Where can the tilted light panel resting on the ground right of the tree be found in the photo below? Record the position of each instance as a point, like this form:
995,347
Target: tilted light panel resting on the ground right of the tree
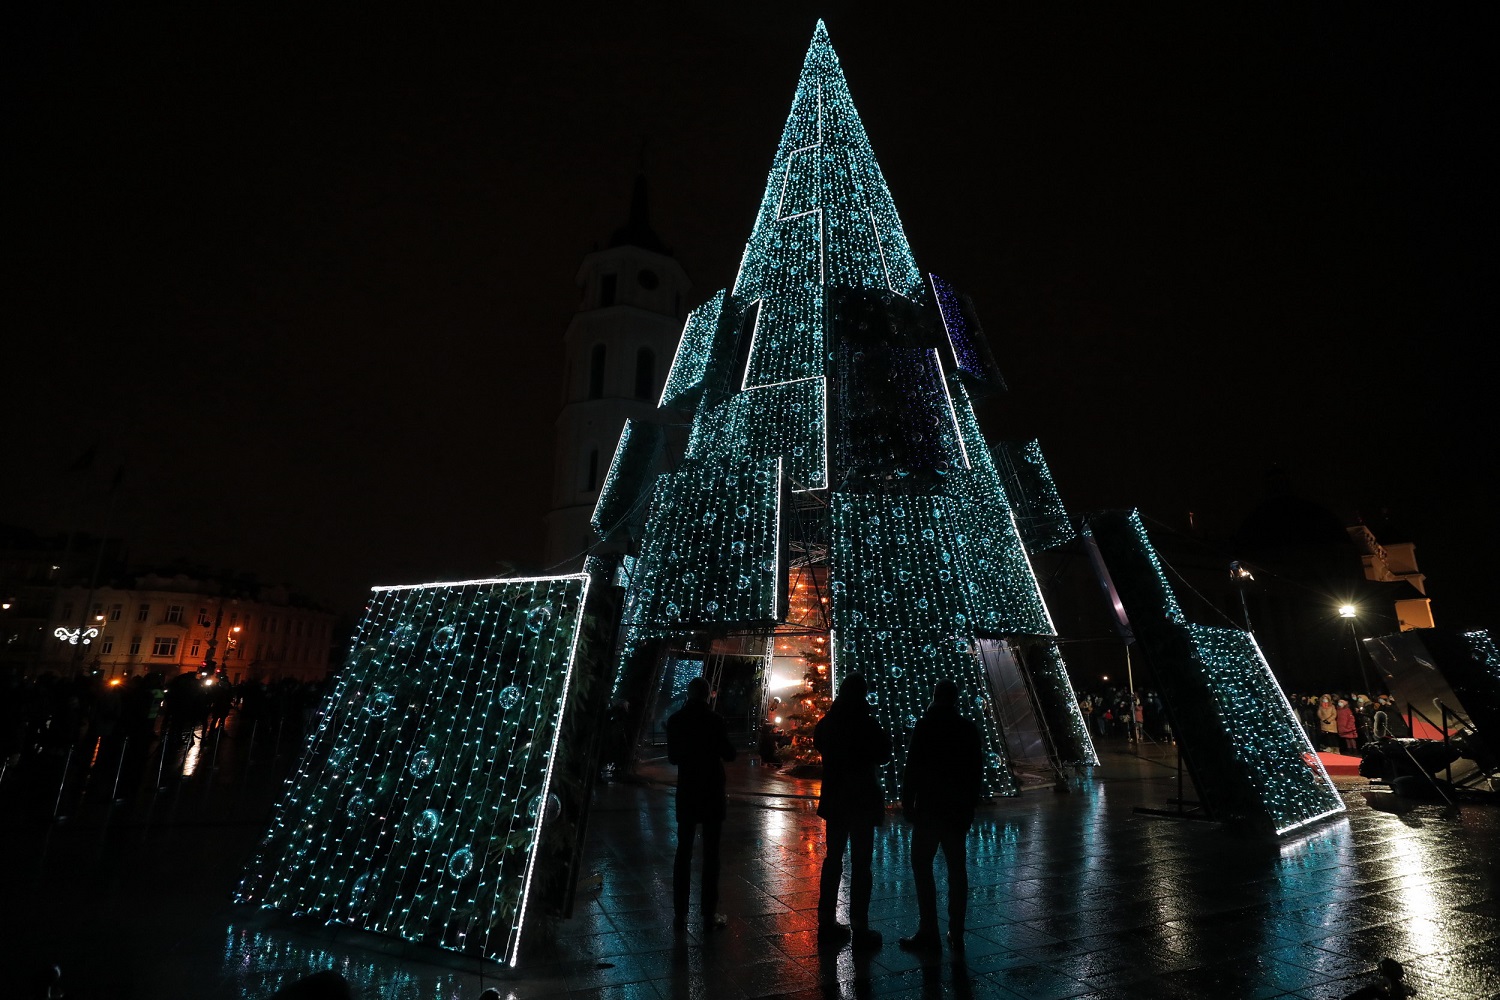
1249,755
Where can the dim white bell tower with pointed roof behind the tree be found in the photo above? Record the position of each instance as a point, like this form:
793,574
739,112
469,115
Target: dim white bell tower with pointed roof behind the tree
619,347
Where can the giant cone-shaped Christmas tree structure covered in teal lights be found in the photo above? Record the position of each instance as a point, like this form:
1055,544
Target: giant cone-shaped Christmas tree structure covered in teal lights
832,428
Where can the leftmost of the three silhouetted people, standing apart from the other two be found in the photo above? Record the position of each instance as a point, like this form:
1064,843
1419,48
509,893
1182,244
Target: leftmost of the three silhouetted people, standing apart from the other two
698,743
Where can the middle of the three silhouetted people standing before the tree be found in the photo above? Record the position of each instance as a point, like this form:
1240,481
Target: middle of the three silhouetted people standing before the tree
853,804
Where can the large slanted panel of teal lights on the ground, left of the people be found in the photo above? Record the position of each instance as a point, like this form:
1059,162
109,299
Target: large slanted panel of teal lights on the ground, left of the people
419,806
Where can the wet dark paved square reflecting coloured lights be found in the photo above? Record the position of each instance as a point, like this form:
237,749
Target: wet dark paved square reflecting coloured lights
1073,896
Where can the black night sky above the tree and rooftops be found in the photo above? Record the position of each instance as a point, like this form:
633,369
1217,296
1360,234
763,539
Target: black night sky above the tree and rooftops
307,277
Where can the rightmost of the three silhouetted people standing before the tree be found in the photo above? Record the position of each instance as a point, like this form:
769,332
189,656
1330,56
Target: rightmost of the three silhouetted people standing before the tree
943,788
